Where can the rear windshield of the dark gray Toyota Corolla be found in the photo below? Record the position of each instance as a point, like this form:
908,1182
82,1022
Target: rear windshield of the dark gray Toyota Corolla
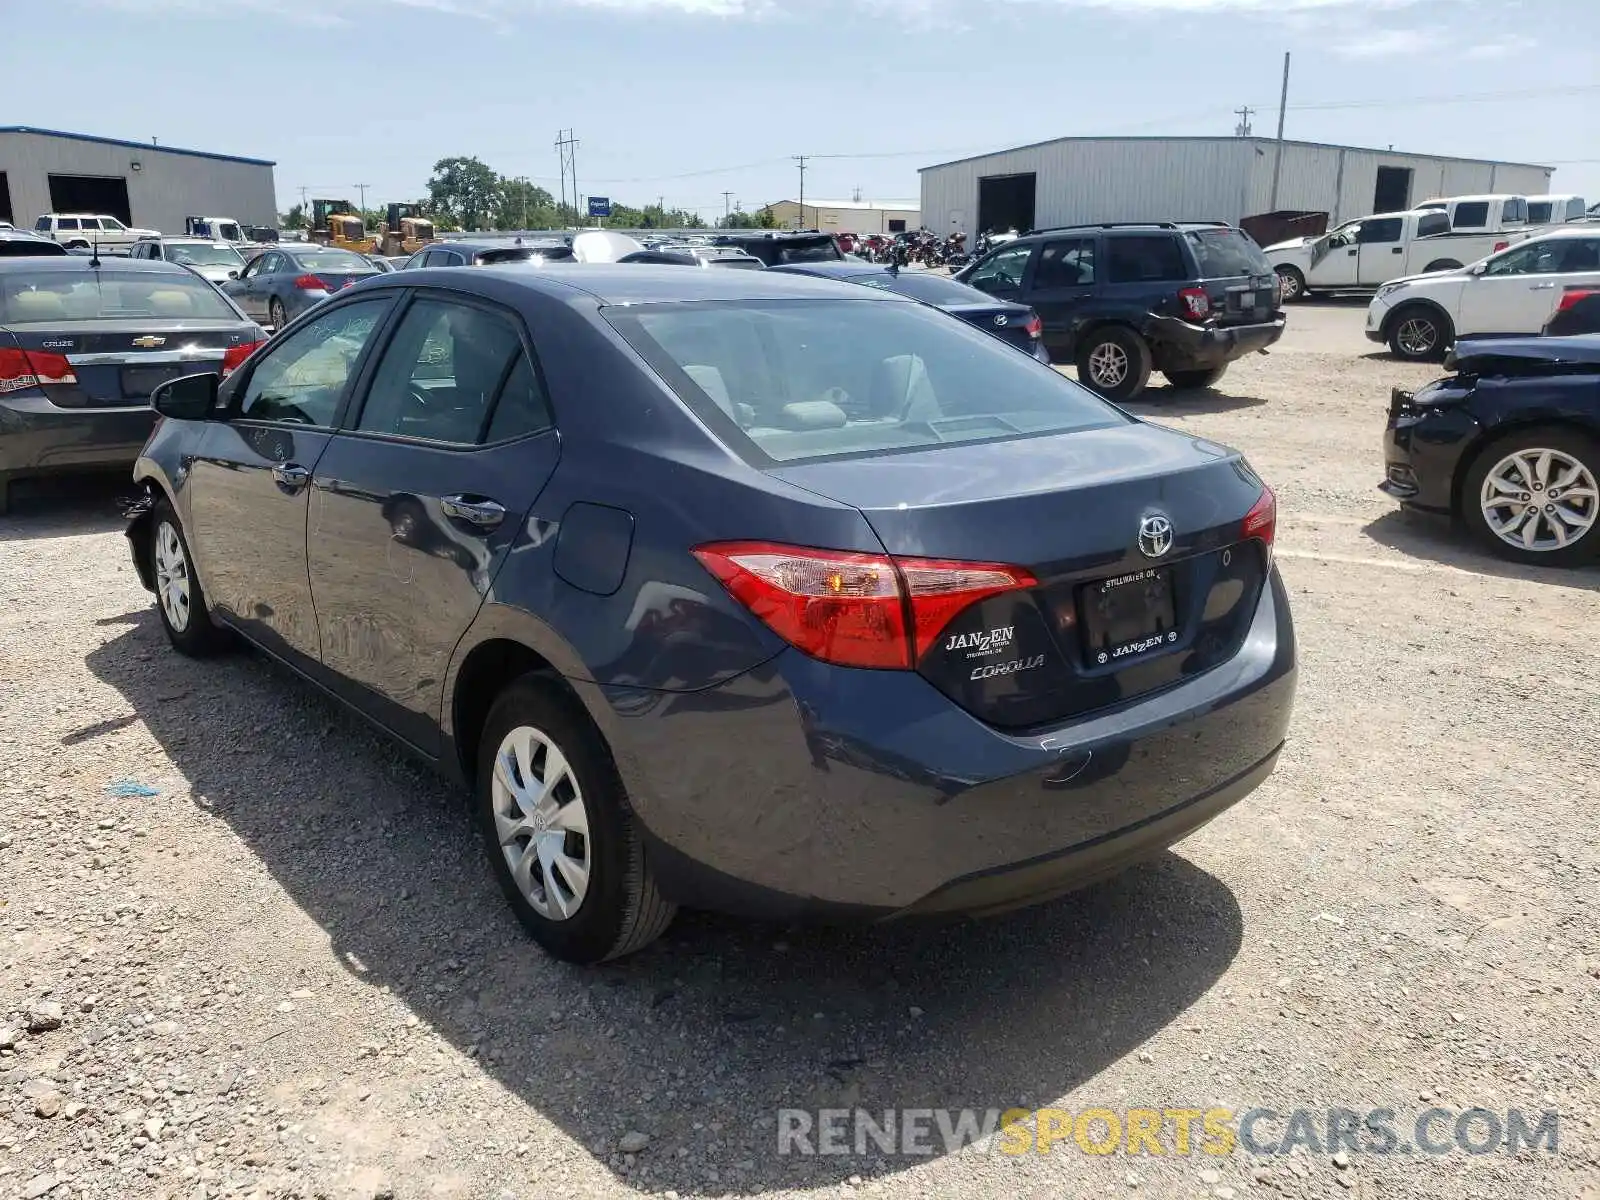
788,382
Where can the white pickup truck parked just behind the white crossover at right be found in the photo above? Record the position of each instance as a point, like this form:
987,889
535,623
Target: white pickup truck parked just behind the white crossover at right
1366,254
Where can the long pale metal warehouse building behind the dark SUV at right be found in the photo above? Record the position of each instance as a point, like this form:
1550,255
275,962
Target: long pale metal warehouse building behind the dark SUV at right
1076,180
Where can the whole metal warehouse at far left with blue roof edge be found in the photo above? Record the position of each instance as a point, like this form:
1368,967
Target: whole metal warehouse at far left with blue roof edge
140,185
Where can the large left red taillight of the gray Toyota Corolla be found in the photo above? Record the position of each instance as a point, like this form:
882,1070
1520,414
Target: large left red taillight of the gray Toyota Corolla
860,610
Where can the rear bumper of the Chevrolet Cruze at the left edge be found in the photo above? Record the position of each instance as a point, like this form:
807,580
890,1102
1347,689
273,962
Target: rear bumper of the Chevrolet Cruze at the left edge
38,439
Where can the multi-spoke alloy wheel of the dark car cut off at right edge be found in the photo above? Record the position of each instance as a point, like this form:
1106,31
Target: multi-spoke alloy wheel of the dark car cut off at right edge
1540,500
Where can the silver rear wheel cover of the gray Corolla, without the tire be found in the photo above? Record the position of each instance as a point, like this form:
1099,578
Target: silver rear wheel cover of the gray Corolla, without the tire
542,823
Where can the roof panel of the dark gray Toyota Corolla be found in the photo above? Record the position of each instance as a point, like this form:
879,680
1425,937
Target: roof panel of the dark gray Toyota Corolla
638,284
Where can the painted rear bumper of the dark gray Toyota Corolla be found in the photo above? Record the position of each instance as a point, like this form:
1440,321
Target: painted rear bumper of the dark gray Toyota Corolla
806,791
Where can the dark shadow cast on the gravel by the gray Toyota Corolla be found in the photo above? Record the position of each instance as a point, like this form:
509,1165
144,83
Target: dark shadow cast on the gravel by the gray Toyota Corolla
703,1038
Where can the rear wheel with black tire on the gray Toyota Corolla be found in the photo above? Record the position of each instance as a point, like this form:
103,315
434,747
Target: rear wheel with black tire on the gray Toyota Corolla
577,879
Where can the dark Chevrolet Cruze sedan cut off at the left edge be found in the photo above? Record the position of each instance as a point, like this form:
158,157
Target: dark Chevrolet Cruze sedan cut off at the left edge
82,345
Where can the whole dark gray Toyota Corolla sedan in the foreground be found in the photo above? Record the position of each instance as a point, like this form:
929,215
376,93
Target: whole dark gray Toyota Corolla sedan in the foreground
732,590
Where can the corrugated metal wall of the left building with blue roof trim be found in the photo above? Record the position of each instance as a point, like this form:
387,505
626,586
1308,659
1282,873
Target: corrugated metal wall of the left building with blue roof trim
166,188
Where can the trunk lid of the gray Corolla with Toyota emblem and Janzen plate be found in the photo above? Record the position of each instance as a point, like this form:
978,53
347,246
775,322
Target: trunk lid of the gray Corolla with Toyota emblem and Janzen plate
1135,537
